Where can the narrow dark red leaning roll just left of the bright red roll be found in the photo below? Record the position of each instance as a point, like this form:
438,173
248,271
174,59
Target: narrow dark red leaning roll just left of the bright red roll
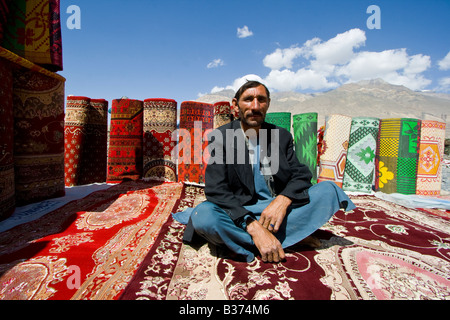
94,153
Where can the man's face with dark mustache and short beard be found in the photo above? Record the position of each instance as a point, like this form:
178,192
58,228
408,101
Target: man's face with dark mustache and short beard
252,105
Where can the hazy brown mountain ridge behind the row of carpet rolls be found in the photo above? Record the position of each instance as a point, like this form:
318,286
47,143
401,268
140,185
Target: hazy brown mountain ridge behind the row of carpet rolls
371,98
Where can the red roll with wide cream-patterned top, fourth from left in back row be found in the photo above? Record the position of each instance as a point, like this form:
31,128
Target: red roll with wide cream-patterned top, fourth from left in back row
160,122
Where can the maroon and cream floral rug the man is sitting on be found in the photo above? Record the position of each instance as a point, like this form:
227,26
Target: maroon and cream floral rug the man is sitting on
379,251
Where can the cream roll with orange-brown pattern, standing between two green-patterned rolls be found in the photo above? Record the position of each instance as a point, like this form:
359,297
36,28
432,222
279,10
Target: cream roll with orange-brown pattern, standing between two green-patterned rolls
334,148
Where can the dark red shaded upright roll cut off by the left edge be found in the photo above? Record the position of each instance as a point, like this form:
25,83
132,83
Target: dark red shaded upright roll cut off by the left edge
7,192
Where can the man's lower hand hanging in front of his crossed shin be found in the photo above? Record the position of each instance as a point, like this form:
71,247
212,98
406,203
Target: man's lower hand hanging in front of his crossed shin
268,245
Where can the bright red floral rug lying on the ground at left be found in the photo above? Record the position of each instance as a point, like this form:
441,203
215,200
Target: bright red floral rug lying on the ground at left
89,248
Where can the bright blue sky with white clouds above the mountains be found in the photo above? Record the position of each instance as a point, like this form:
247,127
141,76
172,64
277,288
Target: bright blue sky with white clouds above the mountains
179,49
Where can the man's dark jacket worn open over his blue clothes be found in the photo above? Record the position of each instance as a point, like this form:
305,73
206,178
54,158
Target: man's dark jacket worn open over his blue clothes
231,185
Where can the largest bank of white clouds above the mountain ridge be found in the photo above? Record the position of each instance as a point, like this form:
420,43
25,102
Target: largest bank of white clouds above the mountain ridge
329,64
